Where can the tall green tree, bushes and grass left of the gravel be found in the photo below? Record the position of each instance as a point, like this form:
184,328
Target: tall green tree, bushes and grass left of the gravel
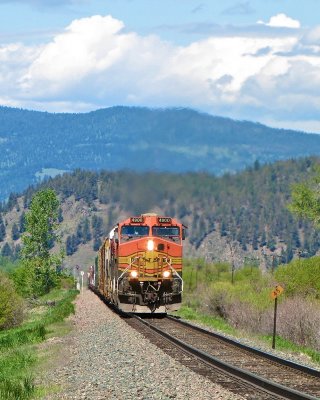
35,297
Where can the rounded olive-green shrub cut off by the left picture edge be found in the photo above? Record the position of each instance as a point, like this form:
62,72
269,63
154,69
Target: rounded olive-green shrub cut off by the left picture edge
11,304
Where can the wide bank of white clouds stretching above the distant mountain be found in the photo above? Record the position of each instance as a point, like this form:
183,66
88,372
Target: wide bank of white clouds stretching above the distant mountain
95,62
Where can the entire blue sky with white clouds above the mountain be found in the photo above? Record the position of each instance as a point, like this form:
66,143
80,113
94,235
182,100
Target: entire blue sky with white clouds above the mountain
256,60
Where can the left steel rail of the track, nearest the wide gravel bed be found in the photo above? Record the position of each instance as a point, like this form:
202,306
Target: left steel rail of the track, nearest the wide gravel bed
246,376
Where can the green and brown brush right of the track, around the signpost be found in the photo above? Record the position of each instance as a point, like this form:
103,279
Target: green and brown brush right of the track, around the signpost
245,308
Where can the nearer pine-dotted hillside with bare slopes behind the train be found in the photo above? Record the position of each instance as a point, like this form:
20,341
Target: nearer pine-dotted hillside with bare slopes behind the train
246,211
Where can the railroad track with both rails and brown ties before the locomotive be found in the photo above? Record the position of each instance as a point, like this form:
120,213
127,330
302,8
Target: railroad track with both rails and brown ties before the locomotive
243,370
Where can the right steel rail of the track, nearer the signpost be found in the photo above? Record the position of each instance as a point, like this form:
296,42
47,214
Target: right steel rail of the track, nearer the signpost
269,356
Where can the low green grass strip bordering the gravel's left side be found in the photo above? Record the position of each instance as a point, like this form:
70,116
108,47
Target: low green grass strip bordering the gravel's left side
19,353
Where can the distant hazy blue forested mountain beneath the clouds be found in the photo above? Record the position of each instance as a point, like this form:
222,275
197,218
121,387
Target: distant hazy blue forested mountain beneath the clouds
33,144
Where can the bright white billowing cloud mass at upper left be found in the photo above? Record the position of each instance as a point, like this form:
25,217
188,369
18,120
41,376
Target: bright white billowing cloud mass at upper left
86,46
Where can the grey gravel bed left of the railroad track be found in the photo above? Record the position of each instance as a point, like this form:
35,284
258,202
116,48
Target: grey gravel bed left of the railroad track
104,358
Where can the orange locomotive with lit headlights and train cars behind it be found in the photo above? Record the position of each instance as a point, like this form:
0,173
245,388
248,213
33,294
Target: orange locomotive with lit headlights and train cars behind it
139,265
